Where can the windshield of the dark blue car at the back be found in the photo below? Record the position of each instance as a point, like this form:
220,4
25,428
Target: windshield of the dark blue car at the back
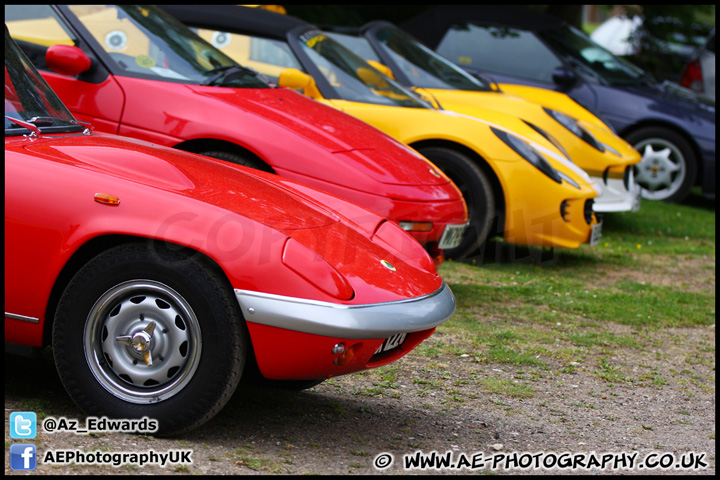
591,57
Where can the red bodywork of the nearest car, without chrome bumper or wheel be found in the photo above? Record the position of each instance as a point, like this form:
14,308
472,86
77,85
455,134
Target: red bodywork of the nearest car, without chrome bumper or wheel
239,217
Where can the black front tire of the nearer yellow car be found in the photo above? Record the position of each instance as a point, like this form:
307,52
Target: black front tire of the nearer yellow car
477,191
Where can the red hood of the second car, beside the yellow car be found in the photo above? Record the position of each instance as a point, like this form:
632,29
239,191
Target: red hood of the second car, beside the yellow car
375,153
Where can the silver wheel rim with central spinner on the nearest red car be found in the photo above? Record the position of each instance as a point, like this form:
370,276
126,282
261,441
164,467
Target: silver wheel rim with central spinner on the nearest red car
142,341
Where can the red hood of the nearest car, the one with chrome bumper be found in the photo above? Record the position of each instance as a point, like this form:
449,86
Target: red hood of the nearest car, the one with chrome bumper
230,187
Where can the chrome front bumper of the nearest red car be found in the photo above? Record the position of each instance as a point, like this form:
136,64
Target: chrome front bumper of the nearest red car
377,320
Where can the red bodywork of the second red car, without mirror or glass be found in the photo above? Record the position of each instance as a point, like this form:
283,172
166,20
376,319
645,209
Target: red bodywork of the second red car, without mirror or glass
299,138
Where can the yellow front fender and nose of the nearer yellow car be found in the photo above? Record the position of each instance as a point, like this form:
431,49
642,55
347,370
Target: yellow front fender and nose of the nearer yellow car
531,199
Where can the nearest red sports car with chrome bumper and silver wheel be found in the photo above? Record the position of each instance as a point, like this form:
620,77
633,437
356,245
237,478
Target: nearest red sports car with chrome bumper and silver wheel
155,273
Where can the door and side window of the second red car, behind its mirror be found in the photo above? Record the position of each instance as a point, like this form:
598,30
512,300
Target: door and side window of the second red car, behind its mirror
93,96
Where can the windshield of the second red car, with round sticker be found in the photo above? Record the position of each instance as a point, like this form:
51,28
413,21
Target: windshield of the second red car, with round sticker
143,40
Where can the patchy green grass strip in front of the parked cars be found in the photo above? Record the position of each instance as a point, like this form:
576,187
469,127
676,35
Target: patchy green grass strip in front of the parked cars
653,270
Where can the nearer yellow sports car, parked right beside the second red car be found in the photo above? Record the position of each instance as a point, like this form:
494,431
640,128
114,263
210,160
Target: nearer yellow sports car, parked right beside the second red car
516,183
